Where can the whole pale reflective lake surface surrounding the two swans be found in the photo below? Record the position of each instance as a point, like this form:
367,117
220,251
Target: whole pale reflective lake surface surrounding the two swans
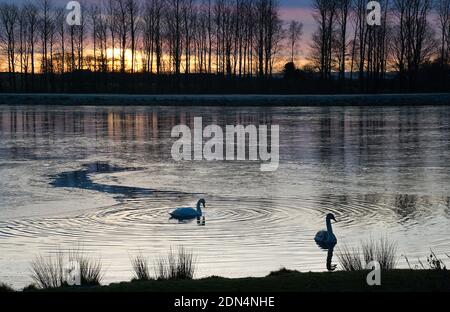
102,179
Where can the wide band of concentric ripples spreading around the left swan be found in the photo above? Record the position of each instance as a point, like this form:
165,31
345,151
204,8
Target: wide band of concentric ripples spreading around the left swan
230,217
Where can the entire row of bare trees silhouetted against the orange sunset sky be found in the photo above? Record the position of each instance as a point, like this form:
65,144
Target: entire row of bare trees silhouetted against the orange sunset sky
175,42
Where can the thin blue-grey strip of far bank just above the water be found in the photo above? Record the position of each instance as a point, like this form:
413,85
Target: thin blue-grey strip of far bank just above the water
418,99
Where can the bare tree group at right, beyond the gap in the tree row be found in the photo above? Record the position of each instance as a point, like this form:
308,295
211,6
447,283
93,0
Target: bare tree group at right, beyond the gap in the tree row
413,35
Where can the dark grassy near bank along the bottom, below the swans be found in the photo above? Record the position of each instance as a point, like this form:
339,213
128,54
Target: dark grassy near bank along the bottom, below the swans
291,281
